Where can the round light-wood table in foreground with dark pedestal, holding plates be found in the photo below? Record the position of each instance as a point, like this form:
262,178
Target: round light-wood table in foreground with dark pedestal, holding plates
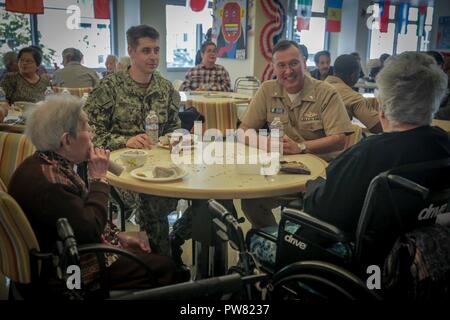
215,180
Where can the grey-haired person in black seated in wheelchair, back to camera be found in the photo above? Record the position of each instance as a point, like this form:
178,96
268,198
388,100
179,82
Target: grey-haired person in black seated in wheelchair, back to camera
411,87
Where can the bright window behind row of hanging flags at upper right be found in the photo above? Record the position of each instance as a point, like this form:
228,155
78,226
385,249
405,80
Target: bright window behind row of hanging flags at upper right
395,43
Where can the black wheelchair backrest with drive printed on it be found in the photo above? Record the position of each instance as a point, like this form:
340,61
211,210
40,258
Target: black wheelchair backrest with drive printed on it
399,201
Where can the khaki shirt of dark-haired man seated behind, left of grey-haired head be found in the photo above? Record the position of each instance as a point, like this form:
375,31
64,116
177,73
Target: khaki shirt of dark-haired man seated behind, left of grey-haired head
357,106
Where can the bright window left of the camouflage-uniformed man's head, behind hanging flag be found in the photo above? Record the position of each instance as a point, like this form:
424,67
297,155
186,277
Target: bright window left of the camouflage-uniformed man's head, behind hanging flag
92,38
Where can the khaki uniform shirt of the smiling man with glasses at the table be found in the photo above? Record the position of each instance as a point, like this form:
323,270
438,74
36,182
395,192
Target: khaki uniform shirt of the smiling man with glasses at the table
316,113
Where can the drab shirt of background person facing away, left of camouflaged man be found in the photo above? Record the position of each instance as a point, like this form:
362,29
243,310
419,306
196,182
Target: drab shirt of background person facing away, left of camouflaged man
74,75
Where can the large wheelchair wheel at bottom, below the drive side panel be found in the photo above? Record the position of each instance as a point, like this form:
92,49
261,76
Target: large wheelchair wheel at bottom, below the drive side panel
318,281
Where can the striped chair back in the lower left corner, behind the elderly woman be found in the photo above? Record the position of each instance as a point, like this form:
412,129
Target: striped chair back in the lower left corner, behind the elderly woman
17,241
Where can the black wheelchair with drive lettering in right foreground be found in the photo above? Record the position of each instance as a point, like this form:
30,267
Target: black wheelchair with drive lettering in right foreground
314,261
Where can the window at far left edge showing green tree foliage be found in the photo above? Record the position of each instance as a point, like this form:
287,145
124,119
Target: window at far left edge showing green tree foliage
15,31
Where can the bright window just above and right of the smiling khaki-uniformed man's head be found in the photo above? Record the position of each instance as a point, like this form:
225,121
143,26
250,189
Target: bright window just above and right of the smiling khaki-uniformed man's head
315,39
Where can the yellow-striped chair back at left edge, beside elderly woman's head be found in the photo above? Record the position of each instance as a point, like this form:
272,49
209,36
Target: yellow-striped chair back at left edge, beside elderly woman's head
14,148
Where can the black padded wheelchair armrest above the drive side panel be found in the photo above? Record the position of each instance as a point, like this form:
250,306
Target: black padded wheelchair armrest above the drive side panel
321,226
